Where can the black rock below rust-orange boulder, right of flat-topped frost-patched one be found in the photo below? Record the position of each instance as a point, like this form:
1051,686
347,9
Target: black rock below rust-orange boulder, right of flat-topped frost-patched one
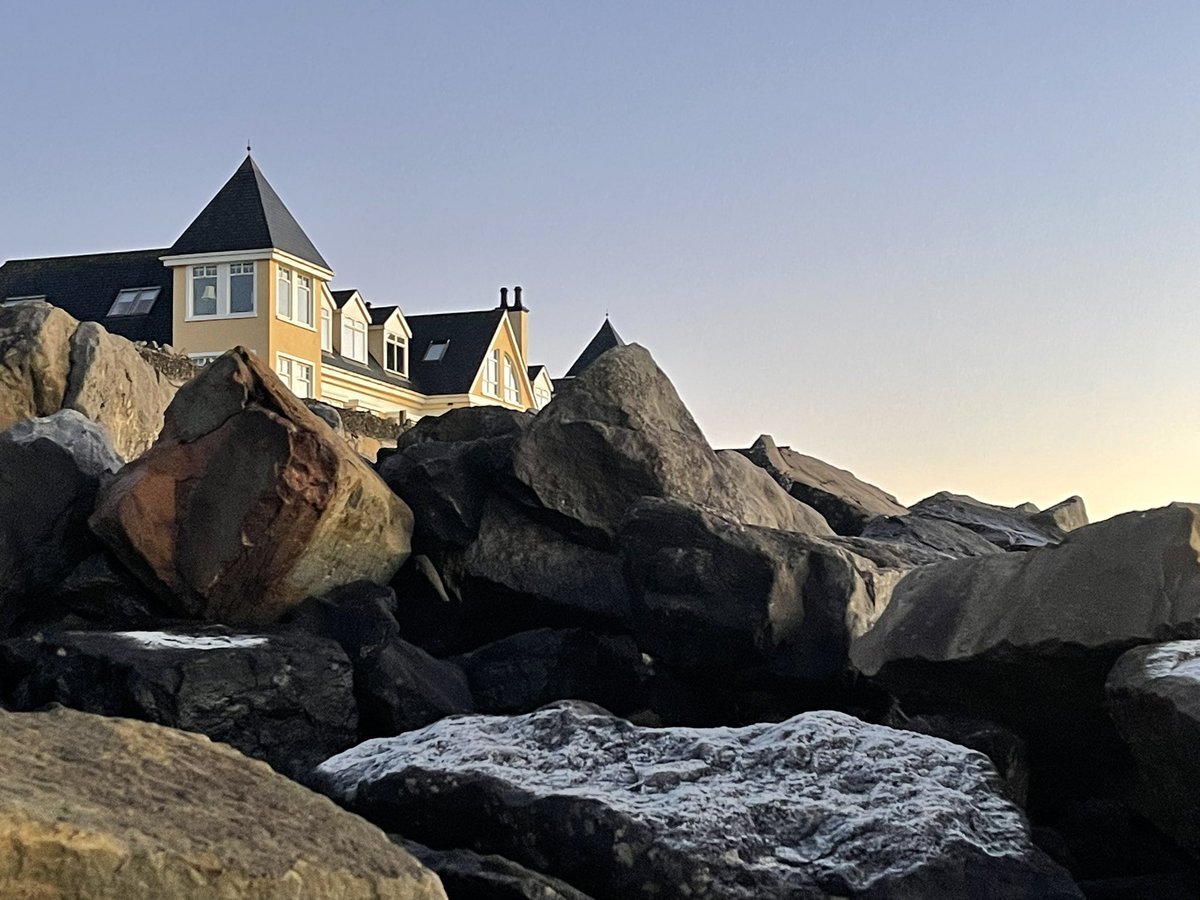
399,687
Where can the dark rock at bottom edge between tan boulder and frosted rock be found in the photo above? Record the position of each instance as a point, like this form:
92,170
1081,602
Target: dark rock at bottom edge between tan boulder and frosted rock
473,877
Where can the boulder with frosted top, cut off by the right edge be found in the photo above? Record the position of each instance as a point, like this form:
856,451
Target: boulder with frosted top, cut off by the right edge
1155,699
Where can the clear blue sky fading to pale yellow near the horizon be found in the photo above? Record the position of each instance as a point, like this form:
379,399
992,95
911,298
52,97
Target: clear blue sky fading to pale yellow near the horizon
946,245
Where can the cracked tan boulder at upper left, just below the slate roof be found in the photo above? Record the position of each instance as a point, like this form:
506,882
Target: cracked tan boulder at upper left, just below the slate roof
50,362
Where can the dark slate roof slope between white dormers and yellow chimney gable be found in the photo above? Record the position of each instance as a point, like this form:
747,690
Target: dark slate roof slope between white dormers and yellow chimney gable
470,335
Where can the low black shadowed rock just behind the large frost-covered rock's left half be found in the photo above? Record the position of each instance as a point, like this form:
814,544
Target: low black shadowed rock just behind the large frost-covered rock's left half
530,670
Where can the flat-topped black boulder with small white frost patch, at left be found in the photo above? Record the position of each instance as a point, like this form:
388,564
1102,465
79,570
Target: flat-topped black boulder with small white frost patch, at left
284,699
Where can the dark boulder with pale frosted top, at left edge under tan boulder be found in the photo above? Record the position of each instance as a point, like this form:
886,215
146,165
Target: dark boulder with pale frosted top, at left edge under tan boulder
50,472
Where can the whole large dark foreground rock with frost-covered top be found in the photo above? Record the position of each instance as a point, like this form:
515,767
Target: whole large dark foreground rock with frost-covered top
820,806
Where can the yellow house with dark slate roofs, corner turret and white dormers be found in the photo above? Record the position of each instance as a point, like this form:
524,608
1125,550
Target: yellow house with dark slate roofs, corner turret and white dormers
245,273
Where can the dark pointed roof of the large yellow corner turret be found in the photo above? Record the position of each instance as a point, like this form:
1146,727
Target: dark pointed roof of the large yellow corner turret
247,214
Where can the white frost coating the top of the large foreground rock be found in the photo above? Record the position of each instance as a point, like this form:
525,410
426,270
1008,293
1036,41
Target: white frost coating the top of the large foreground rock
821,795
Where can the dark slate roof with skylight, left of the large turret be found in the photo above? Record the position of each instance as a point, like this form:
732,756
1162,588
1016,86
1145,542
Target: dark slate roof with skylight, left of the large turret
87,286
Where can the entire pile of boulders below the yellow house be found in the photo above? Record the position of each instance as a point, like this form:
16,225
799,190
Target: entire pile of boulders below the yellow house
589,655
